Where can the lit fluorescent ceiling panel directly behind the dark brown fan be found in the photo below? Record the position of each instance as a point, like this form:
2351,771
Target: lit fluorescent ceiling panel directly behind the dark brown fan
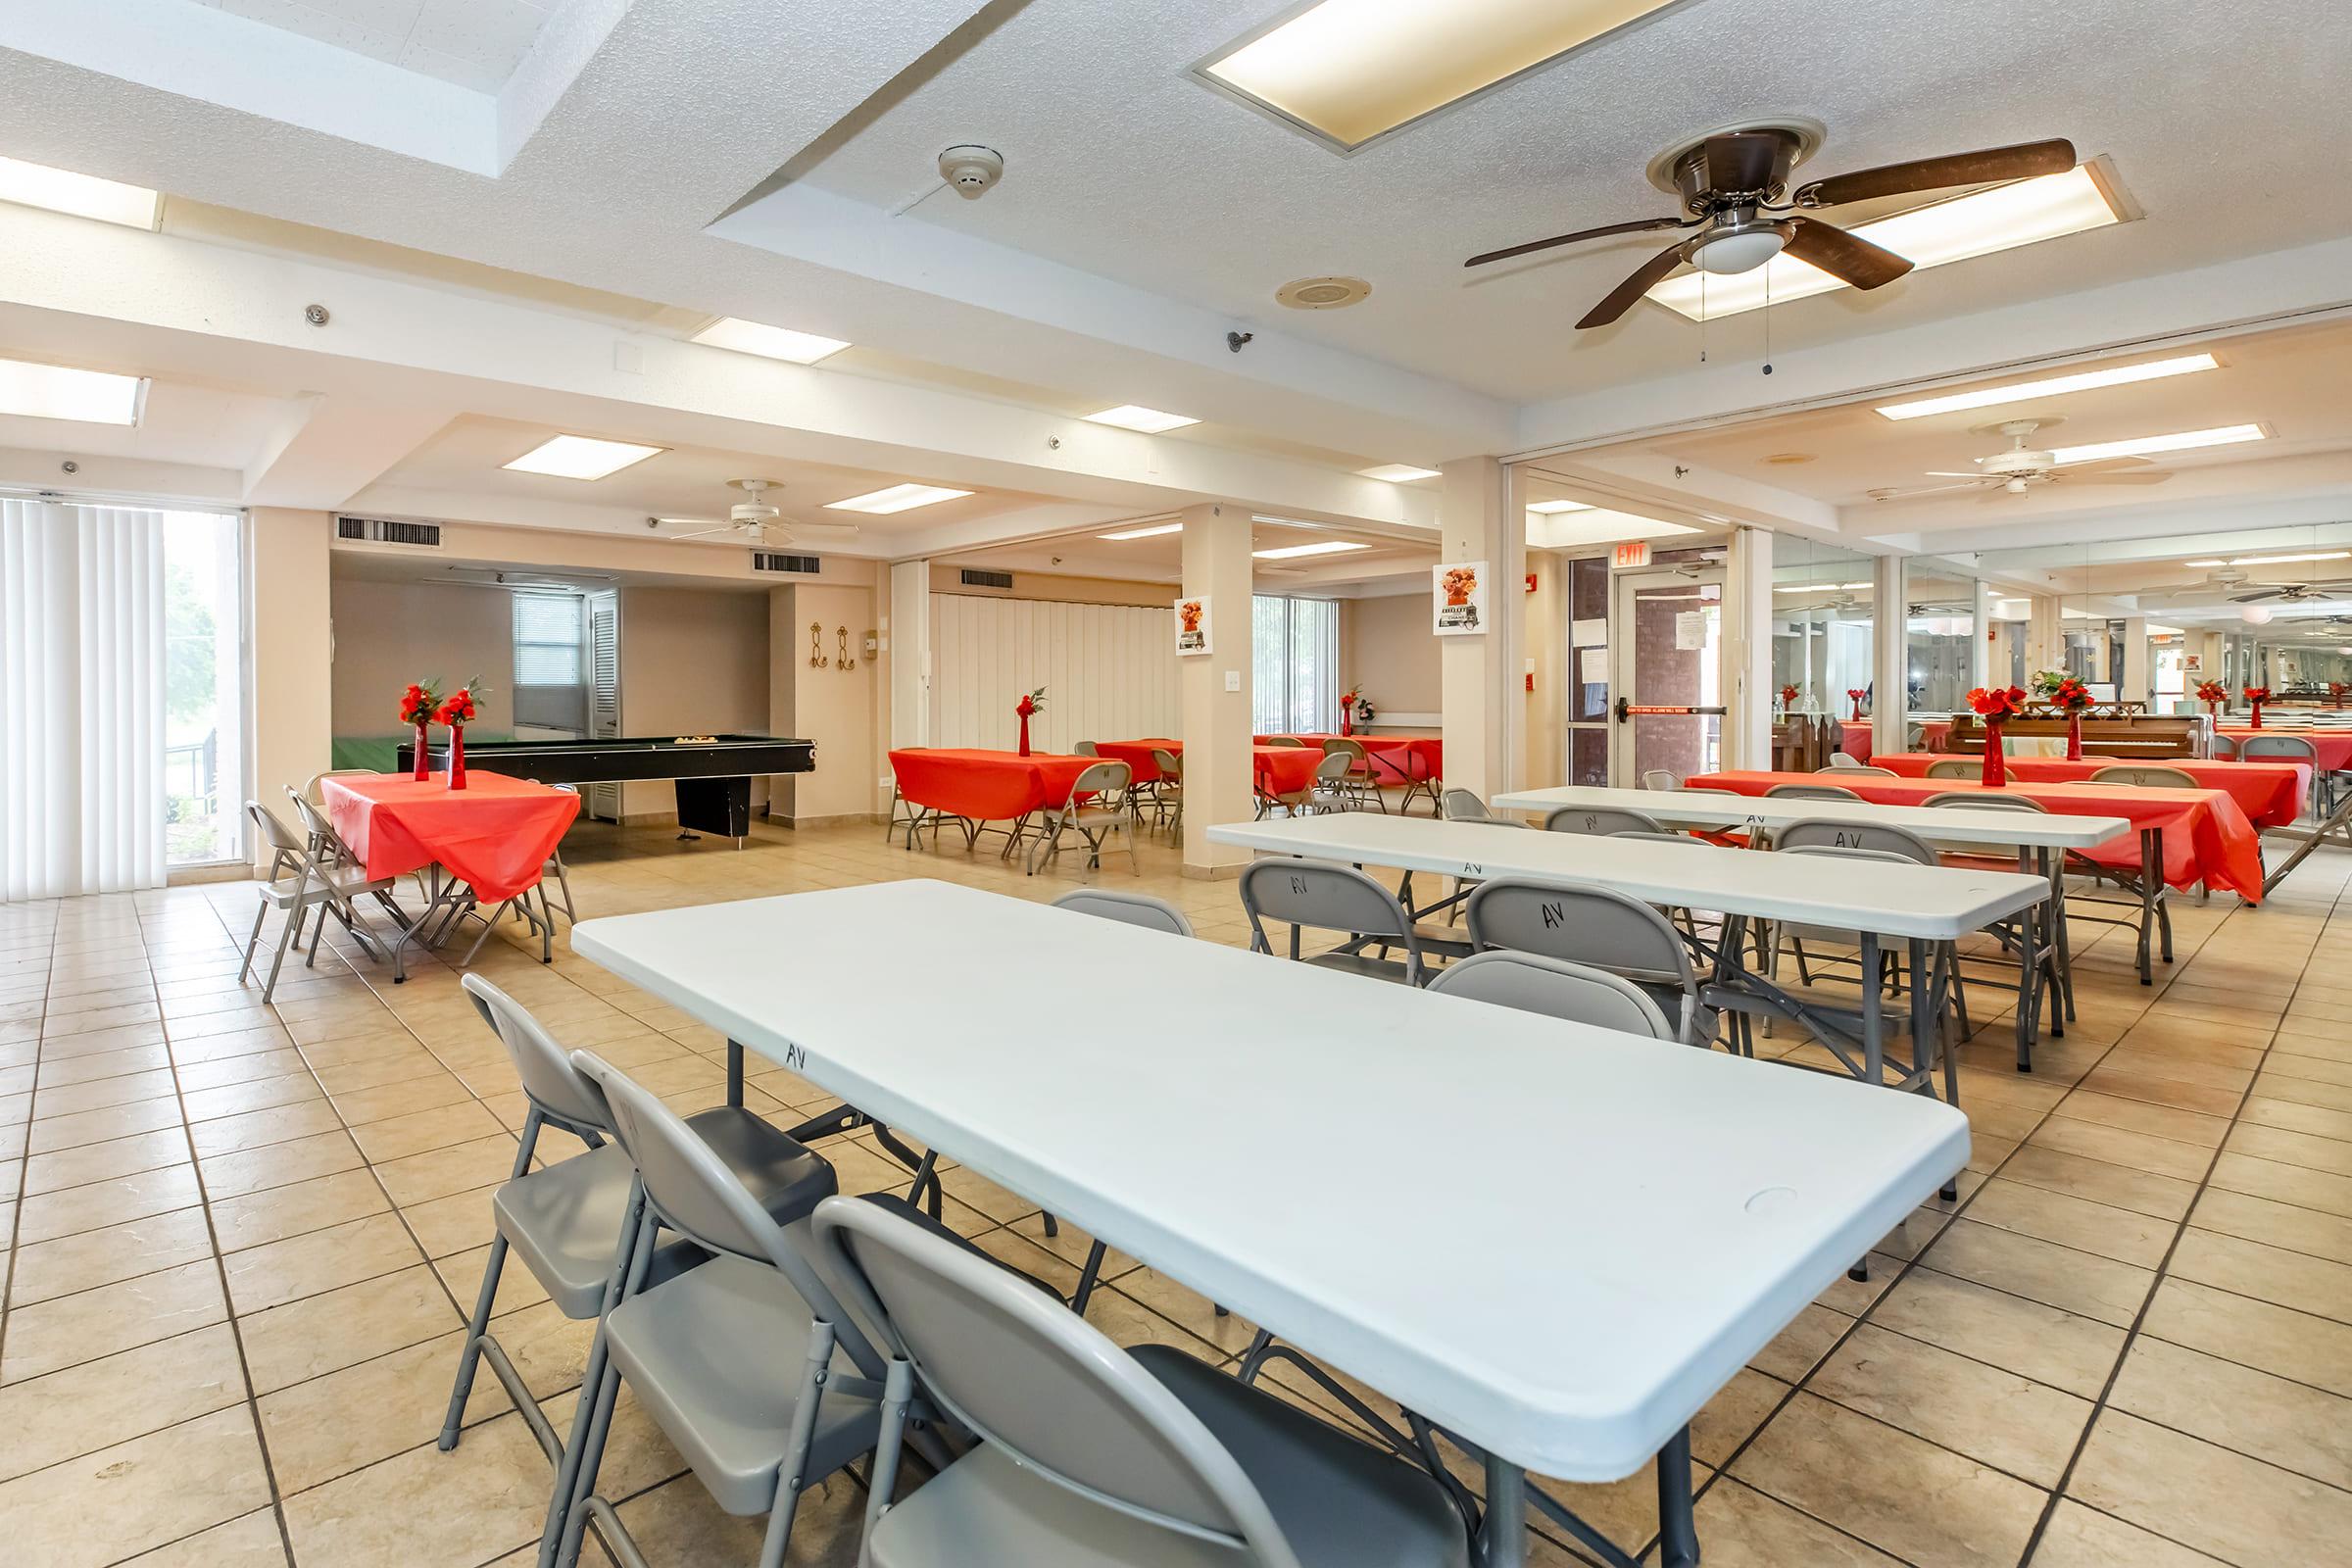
1967,227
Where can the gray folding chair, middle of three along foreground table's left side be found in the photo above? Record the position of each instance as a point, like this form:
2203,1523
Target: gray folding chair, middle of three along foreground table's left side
749,1365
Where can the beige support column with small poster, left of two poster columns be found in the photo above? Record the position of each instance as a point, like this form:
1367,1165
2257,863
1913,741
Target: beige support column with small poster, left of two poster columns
1217,688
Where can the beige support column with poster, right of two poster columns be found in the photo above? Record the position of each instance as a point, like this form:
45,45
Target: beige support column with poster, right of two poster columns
1481,678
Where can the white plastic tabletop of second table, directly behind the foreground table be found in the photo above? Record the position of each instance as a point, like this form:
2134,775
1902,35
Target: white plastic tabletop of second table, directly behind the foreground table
1911,902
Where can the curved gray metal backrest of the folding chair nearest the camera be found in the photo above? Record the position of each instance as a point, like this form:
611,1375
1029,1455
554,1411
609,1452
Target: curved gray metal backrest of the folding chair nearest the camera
1055,1393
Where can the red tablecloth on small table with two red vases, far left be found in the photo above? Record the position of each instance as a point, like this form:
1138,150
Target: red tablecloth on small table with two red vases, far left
495,833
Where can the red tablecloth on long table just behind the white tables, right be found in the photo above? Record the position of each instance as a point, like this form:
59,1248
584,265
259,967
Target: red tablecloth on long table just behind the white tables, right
2205,836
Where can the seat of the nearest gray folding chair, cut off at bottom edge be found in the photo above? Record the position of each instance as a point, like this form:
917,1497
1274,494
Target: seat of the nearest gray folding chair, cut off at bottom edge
1339,1501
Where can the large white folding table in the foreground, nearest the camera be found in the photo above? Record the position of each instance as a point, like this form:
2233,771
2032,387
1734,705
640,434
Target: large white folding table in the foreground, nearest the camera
1586,1261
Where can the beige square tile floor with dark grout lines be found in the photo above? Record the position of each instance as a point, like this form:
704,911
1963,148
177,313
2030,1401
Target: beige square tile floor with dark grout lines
243,1238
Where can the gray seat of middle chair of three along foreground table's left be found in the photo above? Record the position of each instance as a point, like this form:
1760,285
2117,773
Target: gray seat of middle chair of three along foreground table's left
716,1358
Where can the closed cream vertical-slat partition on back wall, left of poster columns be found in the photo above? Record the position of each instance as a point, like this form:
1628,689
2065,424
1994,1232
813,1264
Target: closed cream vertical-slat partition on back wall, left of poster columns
1109,671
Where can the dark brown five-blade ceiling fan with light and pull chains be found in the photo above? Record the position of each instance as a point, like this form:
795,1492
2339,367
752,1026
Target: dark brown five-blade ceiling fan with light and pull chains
1735,194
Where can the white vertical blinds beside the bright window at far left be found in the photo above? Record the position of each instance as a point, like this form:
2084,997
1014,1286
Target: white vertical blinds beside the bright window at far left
81,699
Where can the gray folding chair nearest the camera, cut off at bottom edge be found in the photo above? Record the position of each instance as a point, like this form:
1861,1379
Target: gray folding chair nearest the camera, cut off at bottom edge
1100,1456
